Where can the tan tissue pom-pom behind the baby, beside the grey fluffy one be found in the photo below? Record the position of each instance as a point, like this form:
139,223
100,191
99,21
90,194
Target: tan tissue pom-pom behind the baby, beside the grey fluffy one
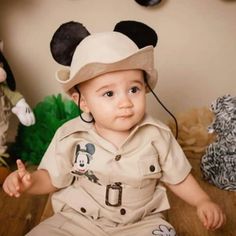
193,136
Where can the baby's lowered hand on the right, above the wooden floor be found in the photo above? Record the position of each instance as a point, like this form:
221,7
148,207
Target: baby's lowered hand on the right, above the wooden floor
210,214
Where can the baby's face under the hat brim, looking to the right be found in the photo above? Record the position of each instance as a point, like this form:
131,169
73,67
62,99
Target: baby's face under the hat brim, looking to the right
116,100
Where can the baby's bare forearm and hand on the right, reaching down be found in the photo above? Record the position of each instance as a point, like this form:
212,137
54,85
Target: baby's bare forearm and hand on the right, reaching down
190,191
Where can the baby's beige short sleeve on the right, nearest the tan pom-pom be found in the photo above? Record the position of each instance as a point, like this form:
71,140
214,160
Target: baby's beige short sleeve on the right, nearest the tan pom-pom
174,164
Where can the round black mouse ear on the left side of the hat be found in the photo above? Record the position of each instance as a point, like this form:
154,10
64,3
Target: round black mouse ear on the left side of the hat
65,40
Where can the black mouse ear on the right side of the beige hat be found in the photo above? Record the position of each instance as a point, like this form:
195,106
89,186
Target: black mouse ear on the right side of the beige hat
140,33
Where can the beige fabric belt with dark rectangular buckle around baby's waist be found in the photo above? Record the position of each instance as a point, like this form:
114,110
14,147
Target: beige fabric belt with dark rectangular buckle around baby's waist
115,194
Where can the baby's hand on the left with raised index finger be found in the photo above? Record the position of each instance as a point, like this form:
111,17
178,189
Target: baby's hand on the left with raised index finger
18,181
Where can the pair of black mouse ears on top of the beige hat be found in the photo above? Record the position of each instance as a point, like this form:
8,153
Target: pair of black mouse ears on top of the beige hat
69,35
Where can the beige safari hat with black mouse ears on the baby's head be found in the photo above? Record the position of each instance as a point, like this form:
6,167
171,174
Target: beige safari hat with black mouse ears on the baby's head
129,46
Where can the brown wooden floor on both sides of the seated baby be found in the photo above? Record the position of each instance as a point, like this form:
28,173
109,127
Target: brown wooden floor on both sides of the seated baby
18,216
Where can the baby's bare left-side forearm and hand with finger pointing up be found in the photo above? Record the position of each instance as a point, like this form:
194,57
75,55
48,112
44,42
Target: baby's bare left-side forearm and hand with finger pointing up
21,181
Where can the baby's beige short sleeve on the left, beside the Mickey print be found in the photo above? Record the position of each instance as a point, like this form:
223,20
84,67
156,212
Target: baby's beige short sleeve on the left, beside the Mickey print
57,163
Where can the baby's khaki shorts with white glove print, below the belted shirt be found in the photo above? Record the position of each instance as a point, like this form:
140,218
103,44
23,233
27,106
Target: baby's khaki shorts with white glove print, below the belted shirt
70,222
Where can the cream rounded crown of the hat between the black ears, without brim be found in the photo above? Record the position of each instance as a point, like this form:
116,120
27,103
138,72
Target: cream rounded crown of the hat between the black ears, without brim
104,47
